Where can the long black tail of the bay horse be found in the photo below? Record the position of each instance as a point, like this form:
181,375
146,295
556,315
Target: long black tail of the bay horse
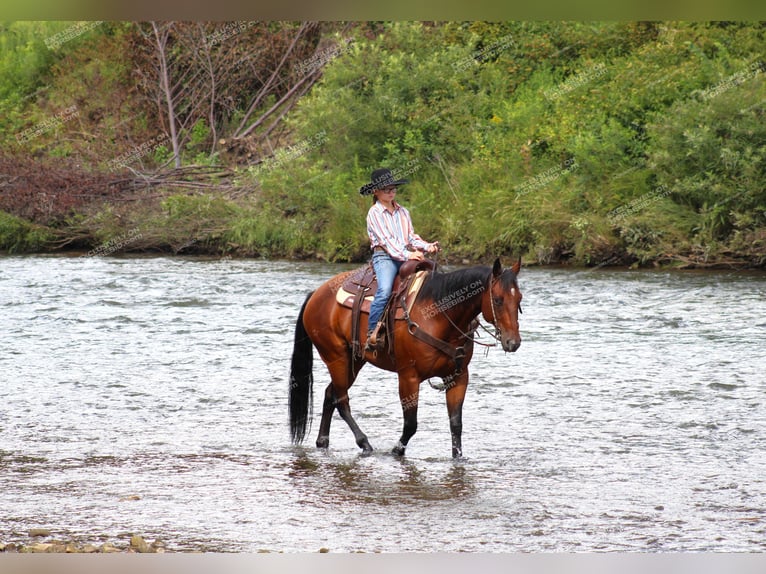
301,380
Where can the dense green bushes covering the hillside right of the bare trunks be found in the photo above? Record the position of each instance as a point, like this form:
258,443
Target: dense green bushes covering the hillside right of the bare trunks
530,135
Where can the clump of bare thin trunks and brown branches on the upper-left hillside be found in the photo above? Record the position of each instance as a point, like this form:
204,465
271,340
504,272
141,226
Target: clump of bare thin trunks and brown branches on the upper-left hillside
238,80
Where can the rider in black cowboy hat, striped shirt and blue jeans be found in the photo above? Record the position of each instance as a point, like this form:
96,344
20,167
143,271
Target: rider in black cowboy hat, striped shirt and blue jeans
393,241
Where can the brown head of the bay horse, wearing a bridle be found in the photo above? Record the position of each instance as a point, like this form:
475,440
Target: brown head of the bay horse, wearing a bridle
501,304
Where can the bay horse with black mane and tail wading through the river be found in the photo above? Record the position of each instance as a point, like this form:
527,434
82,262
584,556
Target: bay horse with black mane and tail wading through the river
436,340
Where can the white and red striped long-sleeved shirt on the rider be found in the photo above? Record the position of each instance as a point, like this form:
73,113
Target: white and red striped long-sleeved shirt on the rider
393,231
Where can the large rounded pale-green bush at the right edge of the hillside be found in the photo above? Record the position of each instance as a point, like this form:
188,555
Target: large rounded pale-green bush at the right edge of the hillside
711,151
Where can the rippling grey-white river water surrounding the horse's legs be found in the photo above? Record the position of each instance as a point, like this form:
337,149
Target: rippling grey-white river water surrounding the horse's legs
148,395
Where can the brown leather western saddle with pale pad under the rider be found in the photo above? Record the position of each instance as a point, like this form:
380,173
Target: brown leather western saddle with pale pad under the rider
358,290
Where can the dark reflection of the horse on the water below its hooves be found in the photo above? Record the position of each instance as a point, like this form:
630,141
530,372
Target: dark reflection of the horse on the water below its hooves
379,479
